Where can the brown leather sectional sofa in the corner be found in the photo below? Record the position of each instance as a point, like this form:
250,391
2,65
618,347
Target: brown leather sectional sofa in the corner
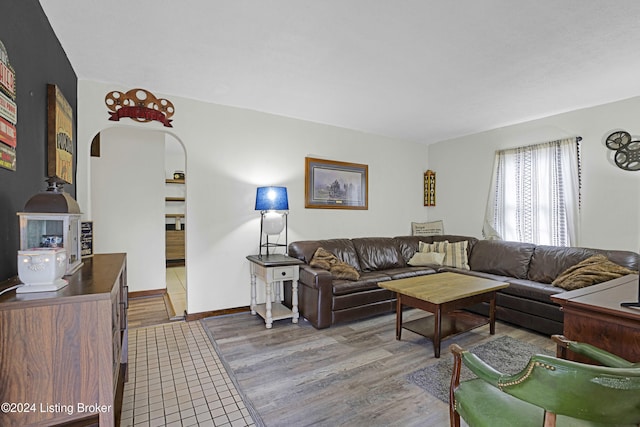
528,268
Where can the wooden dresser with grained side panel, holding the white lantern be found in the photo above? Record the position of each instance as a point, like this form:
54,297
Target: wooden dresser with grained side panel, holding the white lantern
63,355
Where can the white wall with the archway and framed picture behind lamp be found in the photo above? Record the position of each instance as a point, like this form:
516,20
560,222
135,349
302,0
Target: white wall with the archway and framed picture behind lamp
230,152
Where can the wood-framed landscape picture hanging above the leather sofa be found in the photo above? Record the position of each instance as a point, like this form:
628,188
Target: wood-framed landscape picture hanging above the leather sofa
331,184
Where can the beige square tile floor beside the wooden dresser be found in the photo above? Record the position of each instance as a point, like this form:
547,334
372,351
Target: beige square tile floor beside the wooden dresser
177,379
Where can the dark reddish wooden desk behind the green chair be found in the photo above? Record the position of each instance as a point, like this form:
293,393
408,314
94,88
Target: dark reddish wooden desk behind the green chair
594,315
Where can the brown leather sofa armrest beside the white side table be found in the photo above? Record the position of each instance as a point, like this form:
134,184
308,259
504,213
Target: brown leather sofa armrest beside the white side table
315,293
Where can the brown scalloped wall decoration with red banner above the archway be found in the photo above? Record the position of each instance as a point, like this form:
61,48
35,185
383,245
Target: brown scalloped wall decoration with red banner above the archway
139,105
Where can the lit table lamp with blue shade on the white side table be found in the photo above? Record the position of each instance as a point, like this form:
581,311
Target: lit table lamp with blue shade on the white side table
273,204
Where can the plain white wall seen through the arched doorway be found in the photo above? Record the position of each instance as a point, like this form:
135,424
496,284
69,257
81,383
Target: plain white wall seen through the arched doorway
127,181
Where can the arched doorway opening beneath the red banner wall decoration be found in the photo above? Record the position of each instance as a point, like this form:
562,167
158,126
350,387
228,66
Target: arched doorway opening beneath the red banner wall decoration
133,209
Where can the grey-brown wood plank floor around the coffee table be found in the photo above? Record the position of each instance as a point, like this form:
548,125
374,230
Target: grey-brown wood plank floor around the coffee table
348,374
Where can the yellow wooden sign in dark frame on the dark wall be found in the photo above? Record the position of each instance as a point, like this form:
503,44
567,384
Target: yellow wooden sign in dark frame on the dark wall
59,135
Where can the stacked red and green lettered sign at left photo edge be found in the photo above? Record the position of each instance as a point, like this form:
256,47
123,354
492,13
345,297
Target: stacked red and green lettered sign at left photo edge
8,112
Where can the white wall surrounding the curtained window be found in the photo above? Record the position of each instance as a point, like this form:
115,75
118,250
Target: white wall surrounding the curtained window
610,216
